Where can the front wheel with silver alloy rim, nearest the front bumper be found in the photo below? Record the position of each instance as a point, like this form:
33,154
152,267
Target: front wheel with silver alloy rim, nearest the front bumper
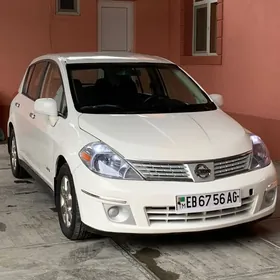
67,206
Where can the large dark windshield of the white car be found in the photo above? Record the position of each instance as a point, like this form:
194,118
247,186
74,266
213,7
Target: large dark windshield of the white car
135,88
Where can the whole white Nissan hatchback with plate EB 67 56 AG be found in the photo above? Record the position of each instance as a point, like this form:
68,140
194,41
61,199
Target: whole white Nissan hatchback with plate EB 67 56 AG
130,143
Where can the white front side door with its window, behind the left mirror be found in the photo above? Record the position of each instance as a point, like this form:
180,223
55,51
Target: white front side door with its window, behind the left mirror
46,136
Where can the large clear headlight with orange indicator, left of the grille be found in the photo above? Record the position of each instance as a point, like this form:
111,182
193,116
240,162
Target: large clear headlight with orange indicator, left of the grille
100,159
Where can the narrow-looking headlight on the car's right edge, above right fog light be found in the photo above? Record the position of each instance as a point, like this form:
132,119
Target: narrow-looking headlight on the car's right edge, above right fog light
260,156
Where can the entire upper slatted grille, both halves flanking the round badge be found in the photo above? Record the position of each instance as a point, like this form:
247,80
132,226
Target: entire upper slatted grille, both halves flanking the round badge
224,167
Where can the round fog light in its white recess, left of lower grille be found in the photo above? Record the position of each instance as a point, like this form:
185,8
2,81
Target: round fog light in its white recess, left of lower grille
119,214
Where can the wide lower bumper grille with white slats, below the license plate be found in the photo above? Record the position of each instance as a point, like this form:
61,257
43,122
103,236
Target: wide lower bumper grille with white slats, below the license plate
160,215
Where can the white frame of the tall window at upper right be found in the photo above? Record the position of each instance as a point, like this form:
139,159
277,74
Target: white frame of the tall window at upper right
201,4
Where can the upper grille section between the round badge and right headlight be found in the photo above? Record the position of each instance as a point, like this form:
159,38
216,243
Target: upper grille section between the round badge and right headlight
230,166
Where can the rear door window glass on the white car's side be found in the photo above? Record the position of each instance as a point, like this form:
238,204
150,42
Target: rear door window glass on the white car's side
34,85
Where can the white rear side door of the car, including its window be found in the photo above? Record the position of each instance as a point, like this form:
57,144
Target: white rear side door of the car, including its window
28,117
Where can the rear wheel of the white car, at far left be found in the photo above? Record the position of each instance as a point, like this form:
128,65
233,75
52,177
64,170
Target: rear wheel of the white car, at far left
17,170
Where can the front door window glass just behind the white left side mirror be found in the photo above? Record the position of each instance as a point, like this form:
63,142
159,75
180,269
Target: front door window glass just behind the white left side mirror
53,88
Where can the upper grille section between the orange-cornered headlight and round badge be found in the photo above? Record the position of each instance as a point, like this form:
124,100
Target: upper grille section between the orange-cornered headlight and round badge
163,171
